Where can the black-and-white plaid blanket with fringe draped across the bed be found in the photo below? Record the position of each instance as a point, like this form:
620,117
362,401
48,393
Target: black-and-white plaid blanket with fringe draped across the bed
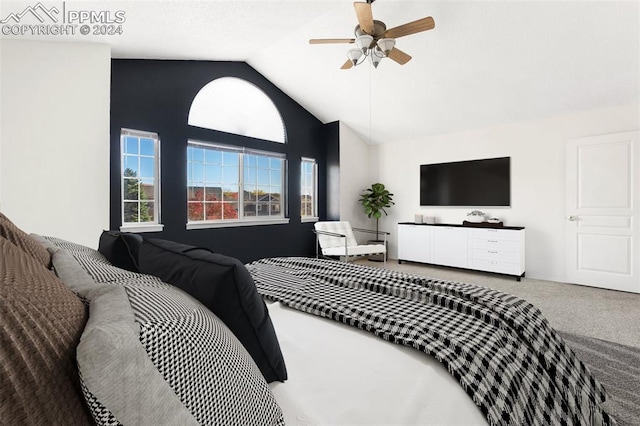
499,347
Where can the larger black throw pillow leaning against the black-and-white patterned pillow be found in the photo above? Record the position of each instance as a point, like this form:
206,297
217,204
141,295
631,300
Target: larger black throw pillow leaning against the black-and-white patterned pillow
225,286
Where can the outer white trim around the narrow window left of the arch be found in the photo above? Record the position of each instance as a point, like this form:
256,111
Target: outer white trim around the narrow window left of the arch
156,225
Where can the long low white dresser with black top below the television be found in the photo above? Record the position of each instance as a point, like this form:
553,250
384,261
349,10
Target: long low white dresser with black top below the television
500,249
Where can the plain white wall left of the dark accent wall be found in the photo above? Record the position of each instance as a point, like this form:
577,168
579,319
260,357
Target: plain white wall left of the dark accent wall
54,168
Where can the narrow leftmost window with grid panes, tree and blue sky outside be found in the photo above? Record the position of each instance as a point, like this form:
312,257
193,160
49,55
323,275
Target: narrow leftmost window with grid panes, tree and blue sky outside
140,180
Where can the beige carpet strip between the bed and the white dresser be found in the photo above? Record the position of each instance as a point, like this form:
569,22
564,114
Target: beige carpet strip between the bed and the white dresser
602,314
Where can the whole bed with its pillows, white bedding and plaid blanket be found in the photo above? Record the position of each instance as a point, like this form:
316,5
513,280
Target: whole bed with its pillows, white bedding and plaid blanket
205,339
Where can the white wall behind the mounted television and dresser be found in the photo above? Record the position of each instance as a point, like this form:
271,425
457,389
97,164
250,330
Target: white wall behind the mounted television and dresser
537,151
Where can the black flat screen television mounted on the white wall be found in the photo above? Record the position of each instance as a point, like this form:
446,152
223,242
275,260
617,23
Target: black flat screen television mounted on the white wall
475,183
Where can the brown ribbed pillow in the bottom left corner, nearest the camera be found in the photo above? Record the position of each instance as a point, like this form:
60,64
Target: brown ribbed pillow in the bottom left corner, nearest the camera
41,322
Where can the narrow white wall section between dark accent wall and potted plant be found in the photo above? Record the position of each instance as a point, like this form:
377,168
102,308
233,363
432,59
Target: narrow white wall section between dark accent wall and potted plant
356,174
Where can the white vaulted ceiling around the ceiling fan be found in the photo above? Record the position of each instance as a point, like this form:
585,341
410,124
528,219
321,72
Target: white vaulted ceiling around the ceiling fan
485,63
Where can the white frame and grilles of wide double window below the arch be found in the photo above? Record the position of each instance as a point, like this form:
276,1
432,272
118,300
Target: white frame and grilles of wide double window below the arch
242,220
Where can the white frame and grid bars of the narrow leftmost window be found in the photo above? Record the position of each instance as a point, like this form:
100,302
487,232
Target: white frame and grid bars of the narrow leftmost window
151,226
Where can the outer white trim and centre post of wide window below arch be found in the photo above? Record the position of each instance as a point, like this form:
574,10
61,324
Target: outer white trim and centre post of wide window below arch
247,220
